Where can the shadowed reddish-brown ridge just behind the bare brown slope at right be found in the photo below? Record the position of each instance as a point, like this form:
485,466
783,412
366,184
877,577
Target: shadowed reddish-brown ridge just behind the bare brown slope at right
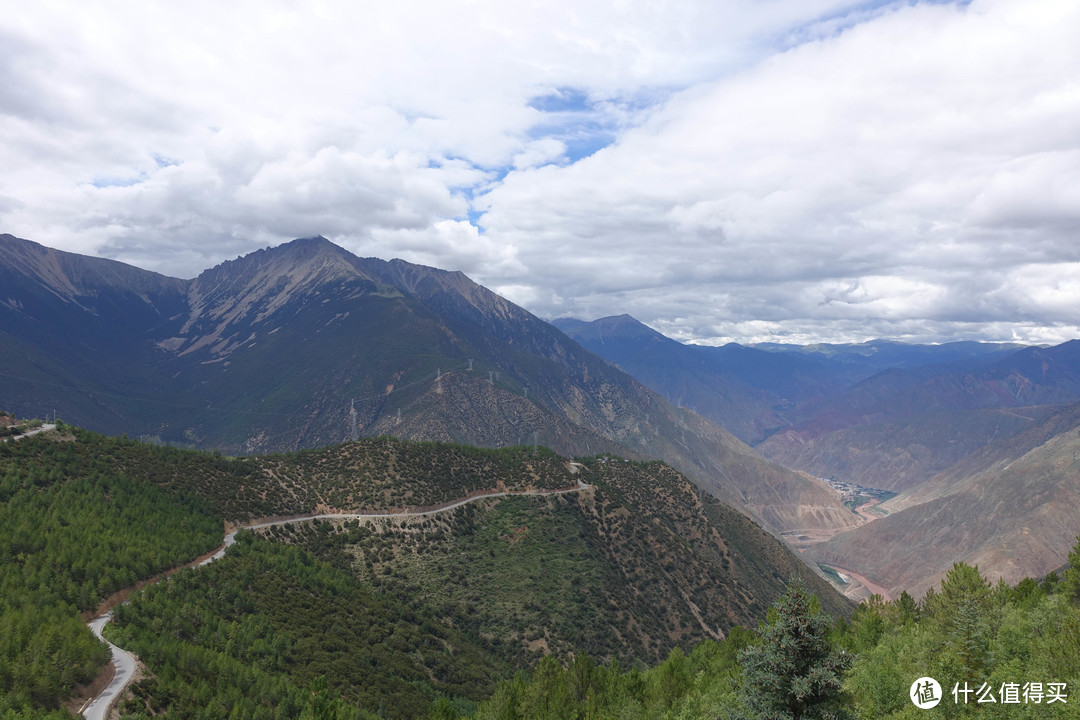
898,429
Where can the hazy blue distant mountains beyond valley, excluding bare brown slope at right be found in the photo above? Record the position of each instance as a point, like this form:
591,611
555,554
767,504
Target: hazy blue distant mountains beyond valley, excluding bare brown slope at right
880,414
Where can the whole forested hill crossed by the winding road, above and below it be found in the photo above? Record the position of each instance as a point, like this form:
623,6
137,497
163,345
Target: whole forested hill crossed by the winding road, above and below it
404,615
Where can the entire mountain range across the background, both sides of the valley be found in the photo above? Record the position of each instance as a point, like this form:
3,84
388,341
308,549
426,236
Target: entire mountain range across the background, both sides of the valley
306,345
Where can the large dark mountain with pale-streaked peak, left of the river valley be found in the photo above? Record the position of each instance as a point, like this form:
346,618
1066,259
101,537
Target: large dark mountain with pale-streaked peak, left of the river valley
307,345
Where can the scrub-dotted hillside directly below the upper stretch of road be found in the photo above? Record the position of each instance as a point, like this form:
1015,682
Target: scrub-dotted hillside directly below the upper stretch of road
638,565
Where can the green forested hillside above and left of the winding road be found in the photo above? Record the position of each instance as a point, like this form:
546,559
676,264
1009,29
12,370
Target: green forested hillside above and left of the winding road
84,515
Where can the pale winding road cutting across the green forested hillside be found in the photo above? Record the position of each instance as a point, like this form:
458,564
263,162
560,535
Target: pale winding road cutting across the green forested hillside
98,709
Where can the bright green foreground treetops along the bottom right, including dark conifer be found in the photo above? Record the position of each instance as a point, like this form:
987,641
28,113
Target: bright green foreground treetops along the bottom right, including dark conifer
996,653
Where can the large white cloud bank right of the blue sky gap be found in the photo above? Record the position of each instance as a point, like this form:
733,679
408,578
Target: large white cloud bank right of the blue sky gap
900,178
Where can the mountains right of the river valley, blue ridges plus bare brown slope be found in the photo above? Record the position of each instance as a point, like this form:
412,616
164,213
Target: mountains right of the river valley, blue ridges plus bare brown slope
975,440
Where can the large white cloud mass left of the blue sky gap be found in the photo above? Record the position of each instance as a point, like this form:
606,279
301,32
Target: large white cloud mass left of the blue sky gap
236,92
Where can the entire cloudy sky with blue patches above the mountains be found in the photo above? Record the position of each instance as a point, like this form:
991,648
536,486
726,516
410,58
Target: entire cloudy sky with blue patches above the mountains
793,171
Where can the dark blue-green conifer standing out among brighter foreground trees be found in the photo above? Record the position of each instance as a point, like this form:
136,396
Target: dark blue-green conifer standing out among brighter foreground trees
794,673
